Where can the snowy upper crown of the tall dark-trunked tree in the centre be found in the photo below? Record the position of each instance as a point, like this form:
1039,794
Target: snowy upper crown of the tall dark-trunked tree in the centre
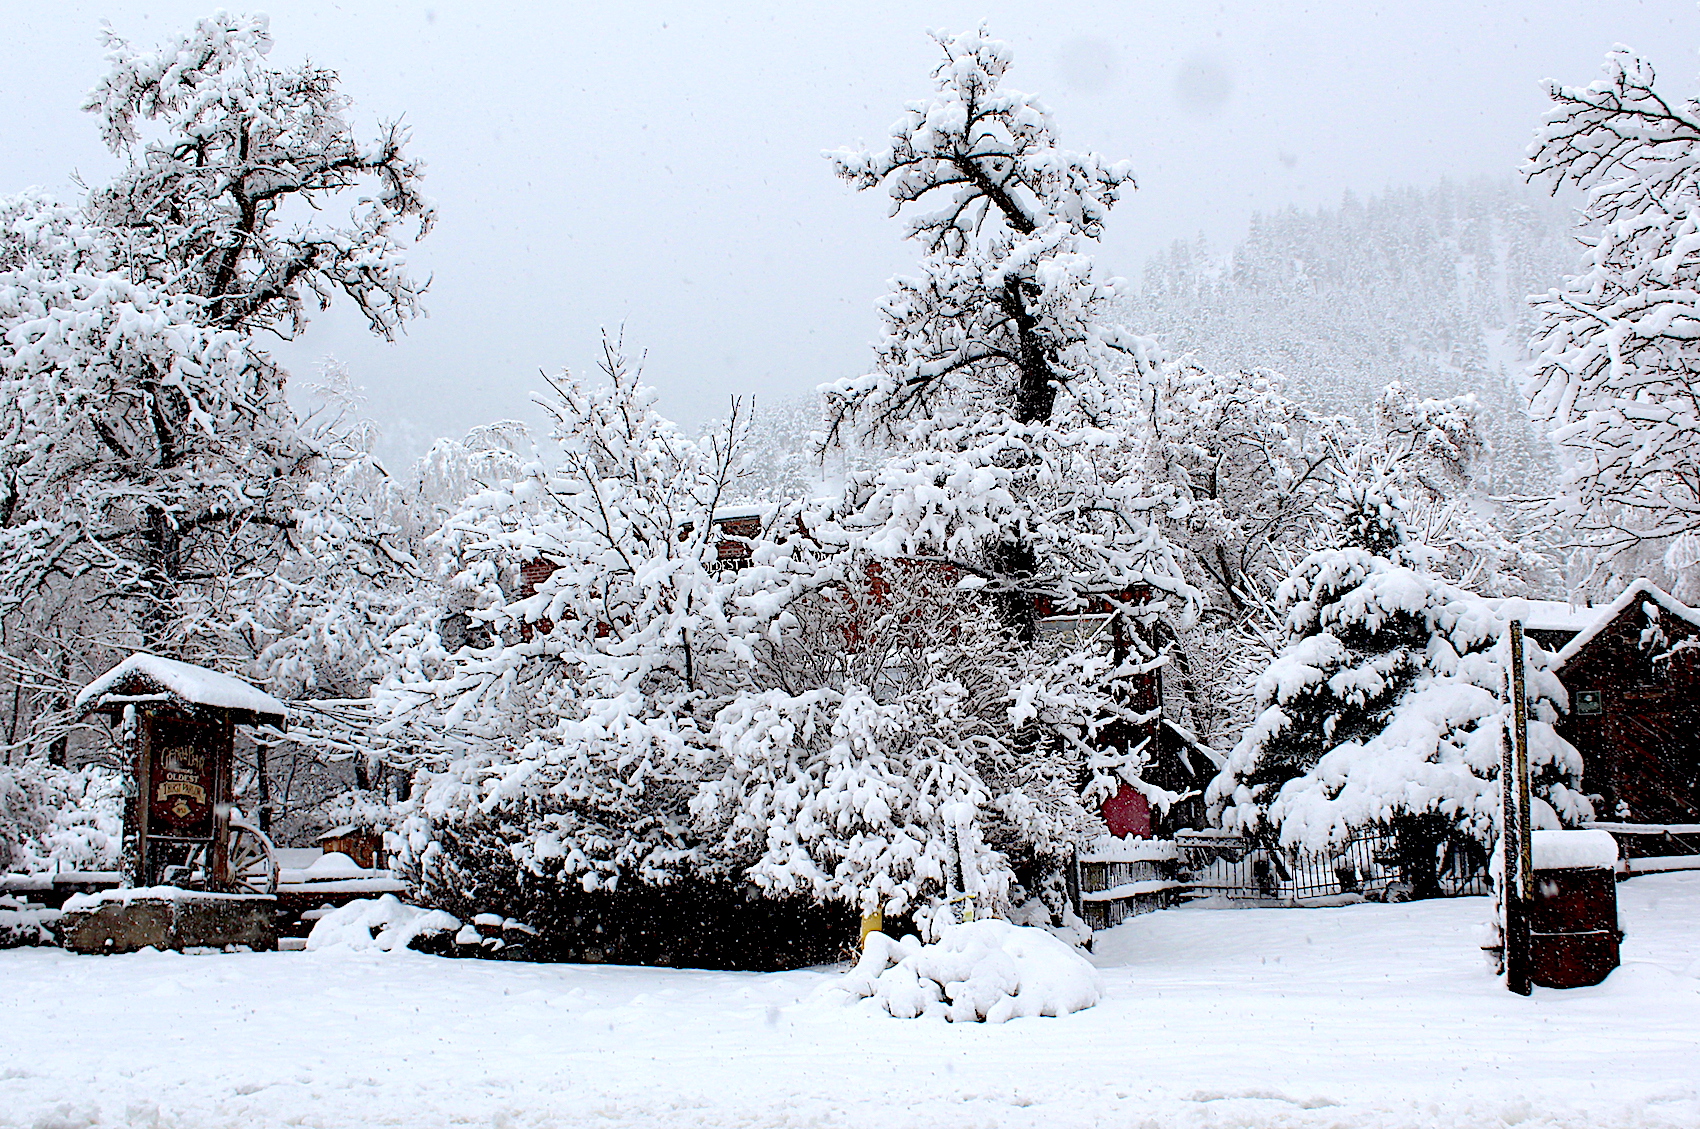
1009,310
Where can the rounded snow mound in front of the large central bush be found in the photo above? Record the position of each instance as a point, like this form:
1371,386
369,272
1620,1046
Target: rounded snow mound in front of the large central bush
978,972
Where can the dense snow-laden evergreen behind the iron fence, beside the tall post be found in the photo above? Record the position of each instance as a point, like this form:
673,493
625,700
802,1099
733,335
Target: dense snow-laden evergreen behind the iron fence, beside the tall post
1386,703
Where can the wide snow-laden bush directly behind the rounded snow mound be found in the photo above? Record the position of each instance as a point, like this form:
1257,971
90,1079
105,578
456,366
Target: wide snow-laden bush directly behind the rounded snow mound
907,751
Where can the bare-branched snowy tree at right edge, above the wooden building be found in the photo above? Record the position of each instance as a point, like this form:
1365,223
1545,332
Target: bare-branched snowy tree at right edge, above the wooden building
1619,355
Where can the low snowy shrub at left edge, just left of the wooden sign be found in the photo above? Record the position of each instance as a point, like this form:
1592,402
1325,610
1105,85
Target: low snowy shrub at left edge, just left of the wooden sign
60,819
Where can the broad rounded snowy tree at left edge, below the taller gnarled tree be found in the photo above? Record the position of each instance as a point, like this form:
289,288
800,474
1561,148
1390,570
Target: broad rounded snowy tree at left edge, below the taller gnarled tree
147,450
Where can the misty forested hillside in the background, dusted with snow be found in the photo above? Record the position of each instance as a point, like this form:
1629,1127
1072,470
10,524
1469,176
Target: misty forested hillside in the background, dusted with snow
1424,287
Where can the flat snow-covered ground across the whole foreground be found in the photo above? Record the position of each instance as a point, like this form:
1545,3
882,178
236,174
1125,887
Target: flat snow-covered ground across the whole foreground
1359,1016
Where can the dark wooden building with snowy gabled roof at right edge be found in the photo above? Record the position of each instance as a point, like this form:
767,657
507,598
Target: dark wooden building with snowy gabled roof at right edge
1633,674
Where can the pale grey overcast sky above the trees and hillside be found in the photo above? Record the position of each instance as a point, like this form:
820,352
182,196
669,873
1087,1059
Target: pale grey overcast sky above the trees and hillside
659,166
